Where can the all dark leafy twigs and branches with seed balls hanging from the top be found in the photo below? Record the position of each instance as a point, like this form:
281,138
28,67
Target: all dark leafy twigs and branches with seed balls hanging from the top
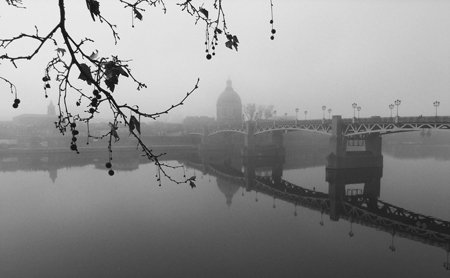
101,74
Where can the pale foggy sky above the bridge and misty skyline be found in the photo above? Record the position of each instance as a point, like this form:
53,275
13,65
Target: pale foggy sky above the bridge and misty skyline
325,52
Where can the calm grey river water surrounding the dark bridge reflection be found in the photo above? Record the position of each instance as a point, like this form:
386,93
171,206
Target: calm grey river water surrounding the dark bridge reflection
73,220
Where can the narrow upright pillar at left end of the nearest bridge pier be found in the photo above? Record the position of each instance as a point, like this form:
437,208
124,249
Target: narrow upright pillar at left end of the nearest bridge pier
338,144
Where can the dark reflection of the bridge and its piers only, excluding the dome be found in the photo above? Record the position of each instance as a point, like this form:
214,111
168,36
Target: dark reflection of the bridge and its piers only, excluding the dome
362,208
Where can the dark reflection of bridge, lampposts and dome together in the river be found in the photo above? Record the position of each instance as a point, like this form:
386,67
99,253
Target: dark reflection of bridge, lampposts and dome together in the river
360,206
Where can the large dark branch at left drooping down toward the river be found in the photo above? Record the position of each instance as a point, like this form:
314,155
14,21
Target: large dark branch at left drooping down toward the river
100,73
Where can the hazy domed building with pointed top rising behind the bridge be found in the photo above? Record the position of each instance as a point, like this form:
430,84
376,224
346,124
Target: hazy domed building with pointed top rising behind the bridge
229,105
